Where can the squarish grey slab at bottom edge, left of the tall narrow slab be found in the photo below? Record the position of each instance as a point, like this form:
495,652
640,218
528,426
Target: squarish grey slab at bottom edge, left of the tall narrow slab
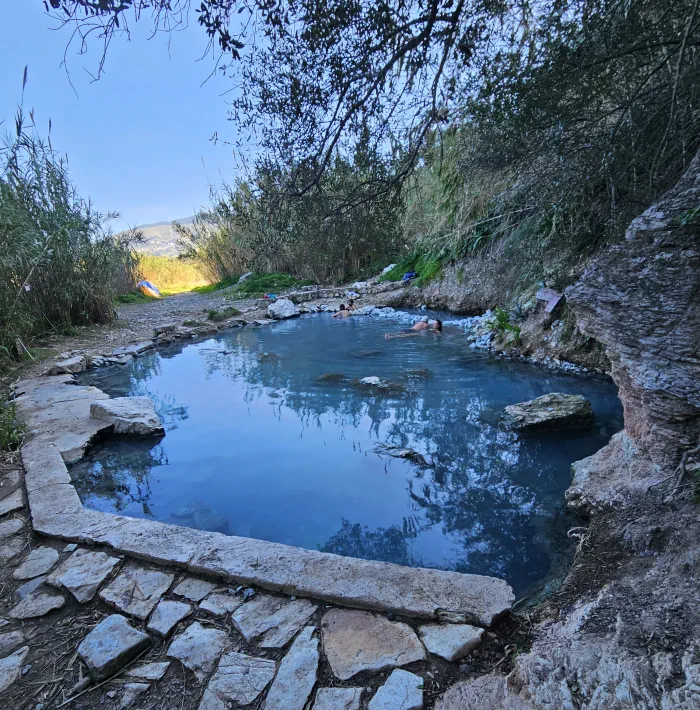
240,679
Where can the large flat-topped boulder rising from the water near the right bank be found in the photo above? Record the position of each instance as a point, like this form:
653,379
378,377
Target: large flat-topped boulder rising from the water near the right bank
549,412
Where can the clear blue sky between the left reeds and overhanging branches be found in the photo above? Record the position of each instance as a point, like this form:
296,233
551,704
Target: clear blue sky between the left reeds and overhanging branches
137,140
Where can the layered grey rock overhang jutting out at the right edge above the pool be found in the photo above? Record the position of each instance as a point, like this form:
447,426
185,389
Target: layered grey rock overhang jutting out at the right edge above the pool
641,299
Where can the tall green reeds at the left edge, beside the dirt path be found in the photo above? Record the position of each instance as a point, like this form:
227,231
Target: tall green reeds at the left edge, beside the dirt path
59,267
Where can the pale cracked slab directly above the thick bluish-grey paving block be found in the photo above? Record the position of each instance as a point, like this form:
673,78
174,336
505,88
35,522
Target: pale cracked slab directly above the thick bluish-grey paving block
136,590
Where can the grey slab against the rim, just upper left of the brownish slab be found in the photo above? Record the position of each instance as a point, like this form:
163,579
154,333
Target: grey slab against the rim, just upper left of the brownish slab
271,622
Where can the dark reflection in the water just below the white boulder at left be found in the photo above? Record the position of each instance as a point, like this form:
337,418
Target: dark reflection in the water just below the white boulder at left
120,472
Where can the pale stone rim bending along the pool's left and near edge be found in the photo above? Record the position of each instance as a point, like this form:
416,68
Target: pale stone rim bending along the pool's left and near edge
57,511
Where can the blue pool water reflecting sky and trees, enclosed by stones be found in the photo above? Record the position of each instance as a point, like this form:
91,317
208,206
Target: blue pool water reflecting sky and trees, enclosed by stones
257,446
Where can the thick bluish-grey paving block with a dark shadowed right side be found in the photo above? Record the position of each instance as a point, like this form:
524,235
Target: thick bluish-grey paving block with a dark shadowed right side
111,645
